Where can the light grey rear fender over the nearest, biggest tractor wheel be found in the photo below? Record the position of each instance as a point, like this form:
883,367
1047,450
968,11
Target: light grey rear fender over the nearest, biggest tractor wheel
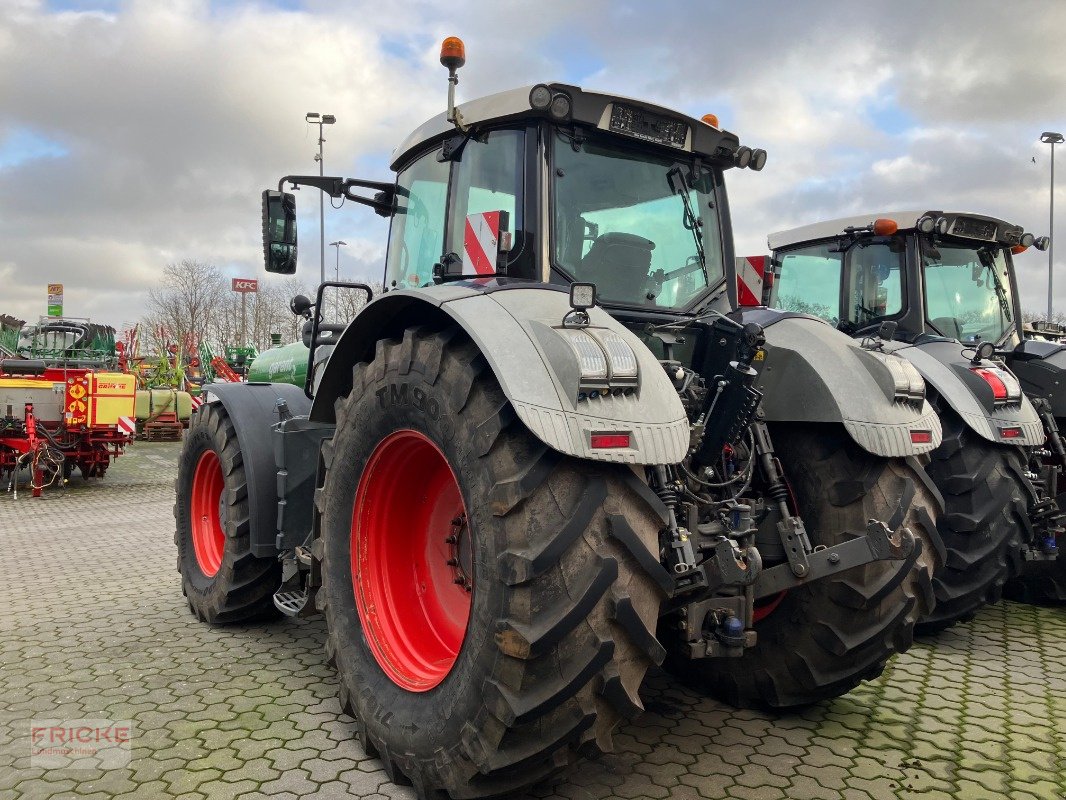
513,327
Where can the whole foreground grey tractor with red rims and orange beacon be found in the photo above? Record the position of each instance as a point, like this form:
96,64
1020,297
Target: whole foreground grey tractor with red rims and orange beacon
546,458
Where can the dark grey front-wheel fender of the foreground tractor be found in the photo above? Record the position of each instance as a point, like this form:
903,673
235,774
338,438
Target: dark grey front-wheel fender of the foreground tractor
253,410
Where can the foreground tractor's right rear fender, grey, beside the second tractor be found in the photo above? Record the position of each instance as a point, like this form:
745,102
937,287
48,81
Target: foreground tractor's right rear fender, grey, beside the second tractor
815,374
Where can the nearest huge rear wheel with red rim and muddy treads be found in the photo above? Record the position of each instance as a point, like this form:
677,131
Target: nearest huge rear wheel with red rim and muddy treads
512,554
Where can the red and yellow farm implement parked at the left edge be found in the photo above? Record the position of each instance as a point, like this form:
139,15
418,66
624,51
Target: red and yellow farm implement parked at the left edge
63,406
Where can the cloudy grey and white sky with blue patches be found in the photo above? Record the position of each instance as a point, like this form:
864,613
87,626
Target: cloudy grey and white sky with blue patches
135,134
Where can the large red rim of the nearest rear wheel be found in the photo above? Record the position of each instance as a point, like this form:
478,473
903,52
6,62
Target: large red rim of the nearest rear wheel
411,555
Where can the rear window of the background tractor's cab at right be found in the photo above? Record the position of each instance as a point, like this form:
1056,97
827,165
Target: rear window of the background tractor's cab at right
967,291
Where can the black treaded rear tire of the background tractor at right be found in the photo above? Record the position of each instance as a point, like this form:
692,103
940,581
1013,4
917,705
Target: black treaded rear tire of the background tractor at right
986,521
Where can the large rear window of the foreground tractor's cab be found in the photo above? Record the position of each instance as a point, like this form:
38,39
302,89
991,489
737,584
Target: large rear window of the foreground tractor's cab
635,223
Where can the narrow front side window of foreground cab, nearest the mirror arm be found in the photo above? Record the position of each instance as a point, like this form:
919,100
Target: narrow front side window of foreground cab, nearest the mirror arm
417,238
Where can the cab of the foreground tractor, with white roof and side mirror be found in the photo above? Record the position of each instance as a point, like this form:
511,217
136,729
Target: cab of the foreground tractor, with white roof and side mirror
552,185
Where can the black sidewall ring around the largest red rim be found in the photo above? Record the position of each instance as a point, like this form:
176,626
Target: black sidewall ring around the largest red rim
392,403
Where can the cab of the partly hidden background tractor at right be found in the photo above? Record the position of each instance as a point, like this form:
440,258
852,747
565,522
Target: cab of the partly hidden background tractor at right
936,276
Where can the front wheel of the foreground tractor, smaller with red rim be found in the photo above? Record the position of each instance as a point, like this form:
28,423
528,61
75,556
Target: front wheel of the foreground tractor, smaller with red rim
221,579
